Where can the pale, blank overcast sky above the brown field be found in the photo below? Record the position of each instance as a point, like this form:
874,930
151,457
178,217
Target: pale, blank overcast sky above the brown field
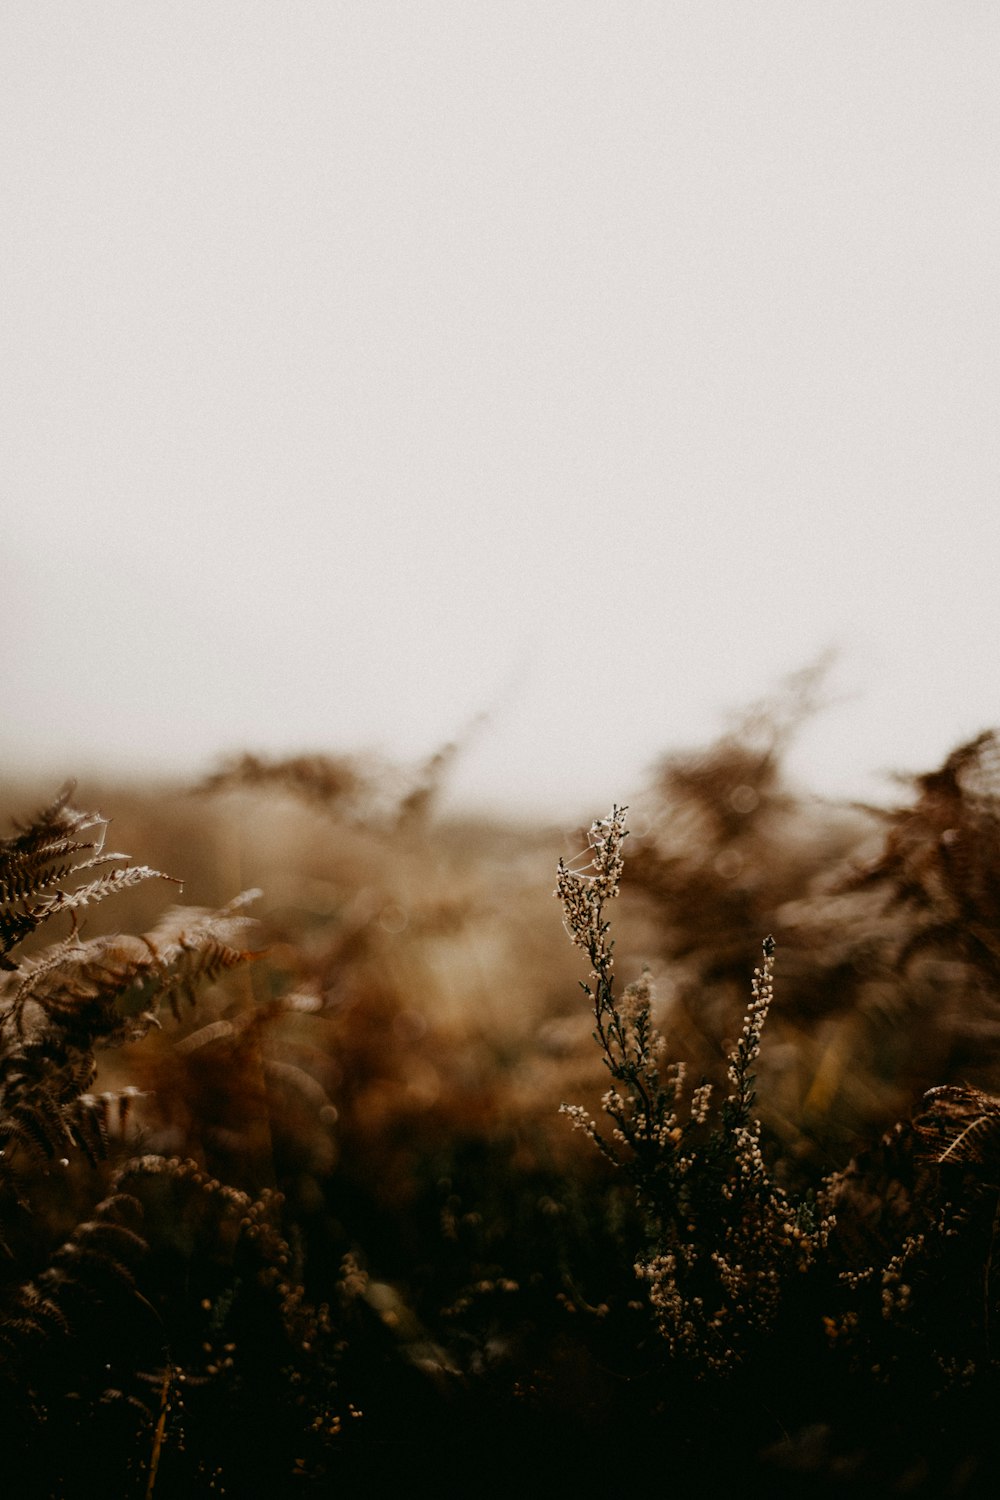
593,367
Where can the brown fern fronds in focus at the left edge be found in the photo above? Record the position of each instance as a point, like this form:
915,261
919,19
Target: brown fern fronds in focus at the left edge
61,1004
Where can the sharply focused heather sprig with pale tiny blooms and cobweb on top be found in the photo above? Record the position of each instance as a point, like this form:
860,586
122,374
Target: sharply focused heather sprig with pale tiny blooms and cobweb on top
723,1238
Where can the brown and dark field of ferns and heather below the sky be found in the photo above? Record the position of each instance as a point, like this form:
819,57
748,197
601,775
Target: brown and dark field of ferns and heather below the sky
344,1159
